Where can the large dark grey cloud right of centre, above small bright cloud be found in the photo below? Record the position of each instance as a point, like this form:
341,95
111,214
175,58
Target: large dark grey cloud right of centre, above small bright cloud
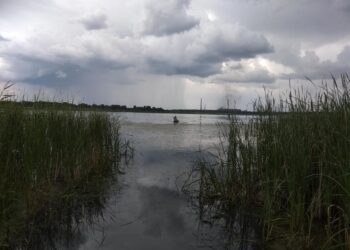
202,51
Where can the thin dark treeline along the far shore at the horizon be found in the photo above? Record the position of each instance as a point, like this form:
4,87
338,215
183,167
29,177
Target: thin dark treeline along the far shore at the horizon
119,108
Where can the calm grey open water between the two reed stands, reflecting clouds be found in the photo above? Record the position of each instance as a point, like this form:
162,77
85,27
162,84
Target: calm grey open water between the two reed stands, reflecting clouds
149,211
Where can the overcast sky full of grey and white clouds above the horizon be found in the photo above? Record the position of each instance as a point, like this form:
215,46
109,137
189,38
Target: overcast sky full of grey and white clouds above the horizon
170,53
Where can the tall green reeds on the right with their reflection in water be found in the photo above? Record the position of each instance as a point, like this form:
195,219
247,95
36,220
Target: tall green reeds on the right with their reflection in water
283,179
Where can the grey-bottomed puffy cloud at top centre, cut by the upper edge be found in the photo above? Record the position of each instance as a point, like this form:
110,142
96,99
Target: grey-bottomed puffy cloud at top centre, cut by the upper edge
168,17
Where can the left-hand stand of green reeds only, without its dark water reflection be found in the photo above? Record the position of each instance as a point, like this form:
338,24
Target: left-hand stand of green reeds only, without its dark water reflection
47,155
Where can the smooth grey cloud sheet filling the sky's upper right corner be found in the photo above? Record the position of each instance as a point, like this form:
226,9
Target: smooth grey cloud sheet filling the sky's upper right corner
306,21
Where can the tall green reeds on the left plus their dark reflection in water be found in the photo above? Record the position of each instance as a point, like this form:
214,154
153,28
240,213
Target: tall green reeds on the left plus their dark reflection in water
57,169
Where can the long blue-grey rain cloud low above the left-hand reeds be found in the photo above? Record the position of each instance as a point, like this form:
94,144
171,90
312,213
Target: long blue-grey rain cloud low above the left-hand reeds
62,70
